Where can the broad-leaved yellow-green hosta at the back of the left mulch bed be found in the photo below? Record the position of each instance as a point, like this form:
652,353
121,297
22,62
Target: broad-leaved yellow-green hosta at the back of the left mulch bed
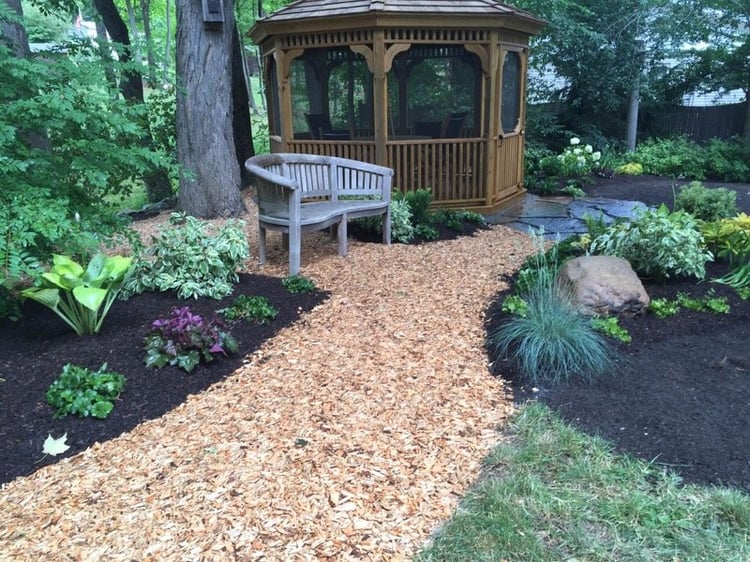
81,297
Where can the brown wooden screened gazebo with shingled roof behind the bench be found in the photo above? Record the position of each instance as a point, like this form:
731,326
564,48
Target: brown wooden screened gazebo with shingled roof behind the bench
434,90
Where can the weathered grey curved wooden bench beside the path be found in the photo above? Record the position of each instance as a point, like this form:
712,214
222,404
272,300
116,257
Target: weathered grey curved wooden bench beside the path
302,193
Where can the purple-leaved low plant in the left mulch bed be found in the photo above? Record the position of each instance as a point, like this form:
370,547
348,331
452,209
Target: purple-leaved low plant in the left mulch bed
185,339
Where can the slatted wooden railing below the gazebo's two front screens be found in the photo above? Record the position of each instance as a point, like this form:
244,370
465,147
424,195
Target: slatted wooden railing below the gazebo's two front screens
453,169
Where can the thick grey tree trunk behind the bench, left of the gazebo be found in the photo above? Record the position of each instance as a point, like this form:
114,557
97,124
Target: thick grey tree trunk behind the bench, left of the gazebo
210,177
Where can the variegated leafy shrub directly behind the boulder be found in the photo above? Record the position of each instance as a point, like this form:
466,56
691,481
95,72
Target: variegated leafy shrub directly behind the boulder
657,243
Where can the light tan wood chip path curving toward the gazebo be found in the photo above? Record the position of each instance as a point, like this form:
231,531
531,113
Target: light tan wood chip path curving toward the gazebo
351,435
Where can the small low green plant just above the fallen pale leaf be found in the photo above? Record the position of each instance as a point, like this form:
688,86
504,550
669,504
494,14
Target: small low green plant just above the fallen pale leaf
80,392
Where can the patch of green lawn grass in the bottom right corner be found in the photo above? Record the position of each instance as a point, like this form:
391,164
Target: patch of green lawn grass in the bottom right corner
551,492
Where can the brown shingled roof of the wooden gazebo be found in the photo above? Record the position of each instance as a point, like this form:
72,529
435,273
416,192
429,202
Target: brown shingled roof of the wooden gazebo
314,9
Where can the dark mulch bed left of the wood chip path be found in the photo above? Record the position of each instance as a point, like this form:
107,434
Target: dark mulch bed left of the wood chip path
35,349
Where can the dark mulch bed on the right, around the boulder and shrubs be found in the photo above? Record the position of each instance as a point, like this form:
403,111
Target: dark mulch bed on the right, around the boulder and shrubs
680,394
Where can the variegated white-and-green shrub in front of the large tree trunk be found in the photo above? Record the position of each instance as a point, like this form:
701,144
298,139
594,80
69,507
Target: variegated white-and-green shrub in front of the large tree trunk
193,258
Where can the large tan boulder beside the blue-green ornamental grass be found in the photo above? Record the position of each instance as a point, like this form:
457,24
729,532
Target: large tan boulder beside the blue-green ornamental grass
603,285
